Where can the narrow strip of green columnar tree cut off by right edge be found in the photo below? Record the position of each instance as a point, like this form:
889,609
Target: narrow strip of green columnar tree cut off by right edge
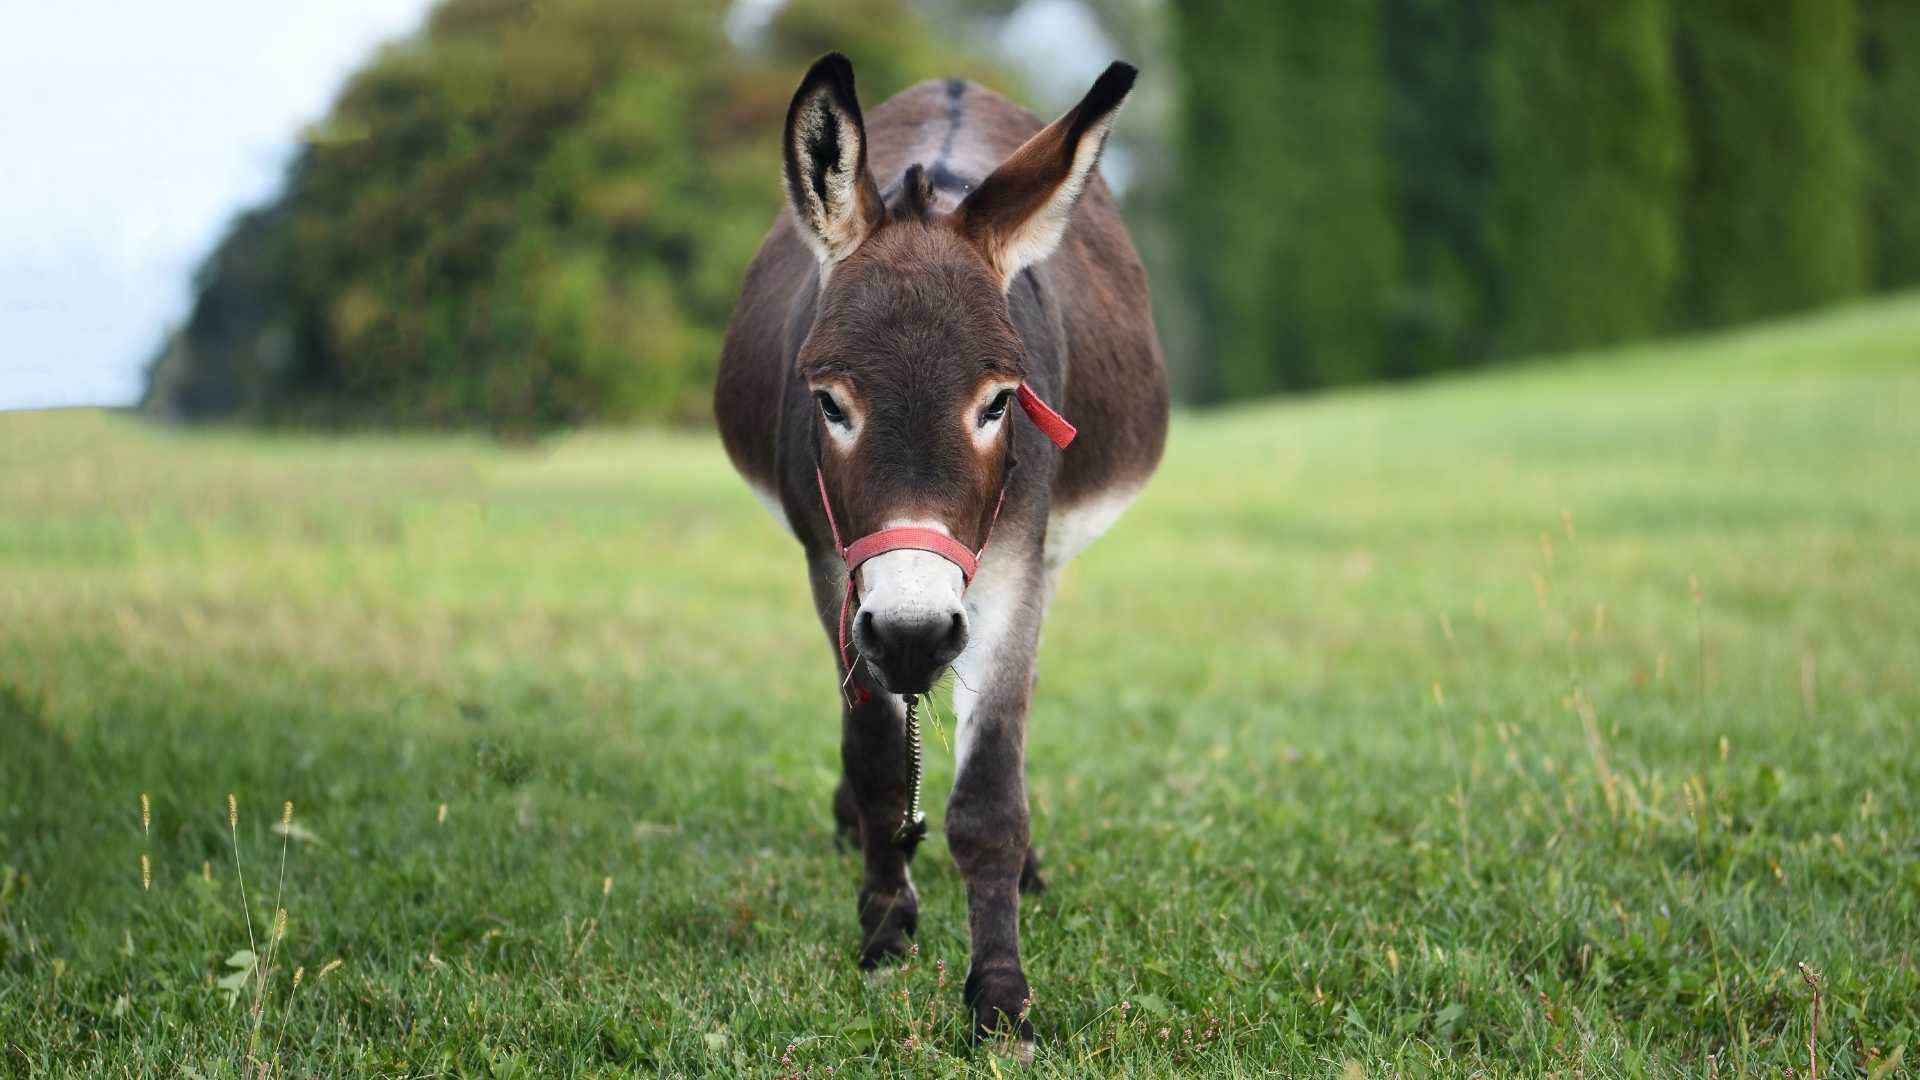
1890,122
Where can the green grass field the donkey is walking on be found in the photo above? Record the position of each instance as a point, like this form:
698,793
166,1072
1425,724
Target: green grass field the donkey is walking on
1335,752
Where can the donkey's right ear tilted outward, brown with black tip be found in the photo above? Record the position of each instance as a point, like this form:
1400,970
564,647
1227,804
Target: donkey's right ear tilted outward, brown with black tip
1020,212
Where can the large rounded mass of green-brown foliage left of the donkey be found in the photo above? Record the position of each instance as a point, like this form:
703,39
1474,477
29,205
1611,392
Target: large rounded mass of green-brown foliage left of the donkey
533,214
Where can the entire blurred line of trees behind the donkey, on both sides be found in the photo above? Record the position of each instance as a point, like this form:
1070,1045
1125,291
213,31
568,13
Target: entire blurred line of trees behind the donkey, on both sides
537,212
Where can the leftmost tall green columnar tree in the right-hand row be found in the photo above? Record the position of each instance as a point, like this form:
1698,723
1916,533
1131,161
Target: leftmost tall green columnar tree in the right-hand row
1289,220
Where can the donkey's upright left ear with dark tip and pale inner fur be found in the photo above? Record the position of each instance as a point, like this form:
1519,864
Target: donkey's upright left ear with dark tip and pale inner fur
825,153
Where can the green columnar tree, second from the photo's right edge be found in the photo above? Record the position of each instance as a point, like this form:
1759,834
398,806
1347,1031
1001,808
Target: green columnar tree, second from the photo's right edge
1775,209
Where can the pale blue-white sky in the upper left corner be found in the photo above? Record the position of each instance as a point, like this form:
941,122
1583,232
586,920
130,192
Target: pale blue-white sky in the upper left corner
130,135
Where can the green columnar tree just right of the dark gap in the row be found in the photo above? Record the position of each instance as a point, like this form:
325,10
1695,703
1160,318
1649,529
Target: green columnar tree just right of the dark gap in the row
1589,155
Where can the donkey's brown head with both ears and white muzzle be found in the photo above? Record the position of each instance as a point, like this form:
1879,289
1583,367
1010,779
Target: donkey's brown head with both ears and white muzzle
913,358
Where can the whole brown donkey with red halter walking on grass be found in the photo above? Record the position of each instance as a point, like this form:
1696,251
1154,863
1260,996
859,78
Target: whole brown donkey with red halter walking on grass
867,389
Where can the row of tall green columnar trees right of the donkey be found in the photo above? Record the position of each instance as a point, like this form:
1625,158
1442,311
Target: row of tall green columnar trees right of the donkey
1393,187
